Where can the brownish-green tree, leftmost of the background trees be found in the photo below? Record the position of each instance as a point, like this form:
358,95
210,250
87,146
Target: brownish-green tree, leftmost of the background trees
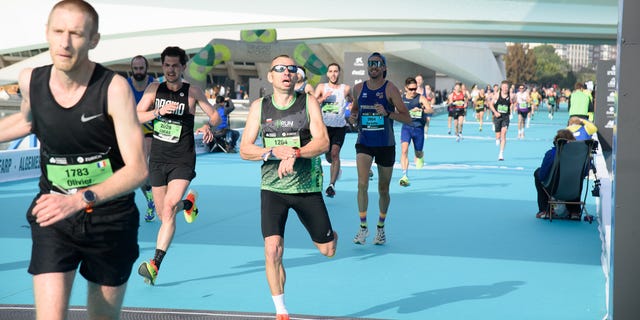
520,64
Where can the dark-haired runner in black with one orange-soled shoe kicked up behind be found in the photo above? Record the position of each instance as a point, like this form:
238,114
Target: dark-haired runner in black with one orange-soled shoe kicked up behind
172,106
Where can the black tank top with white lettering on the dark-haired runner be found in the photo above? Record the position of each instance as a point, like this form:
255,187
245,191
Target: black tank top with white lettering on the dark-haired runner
173,133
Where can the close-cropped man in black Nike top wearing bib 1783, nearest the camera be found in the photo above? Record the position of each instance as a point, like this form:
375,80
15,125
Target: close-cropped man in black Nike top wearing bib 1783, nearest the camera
91,159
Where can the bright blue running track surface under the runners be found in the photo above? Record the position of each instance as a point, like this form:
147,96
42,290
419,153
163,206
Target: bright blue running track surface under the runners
462,243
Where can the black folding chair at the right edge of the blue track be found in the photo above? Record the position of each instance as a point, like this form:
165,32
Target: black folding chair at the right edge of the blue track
569,170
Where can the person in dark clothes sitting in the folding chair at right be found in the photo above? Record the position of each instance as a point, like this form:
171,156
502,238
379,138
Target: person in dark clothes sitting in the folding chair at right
543,172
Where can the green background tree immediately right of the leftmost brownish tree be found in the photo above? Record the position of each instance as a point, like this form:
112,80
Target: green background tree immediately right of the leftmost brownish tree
550,68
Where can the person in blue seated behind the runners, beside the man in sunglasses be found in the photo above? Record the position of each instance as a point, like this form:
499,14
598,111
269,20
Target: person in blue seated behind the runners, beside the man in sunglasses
224,138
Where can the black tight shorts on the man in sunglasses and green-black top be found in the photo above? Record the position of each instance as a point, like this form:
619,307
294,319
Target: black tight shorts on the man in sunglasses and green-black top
310,208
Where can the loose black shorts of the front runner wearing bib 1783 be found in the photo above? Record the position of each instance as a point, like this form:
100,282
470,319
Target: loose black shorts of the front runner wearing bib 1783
103,243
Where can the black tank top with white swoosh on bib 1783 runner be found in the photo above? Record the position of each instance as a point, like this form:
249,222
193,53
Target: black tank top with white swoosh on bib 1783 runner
77,135
